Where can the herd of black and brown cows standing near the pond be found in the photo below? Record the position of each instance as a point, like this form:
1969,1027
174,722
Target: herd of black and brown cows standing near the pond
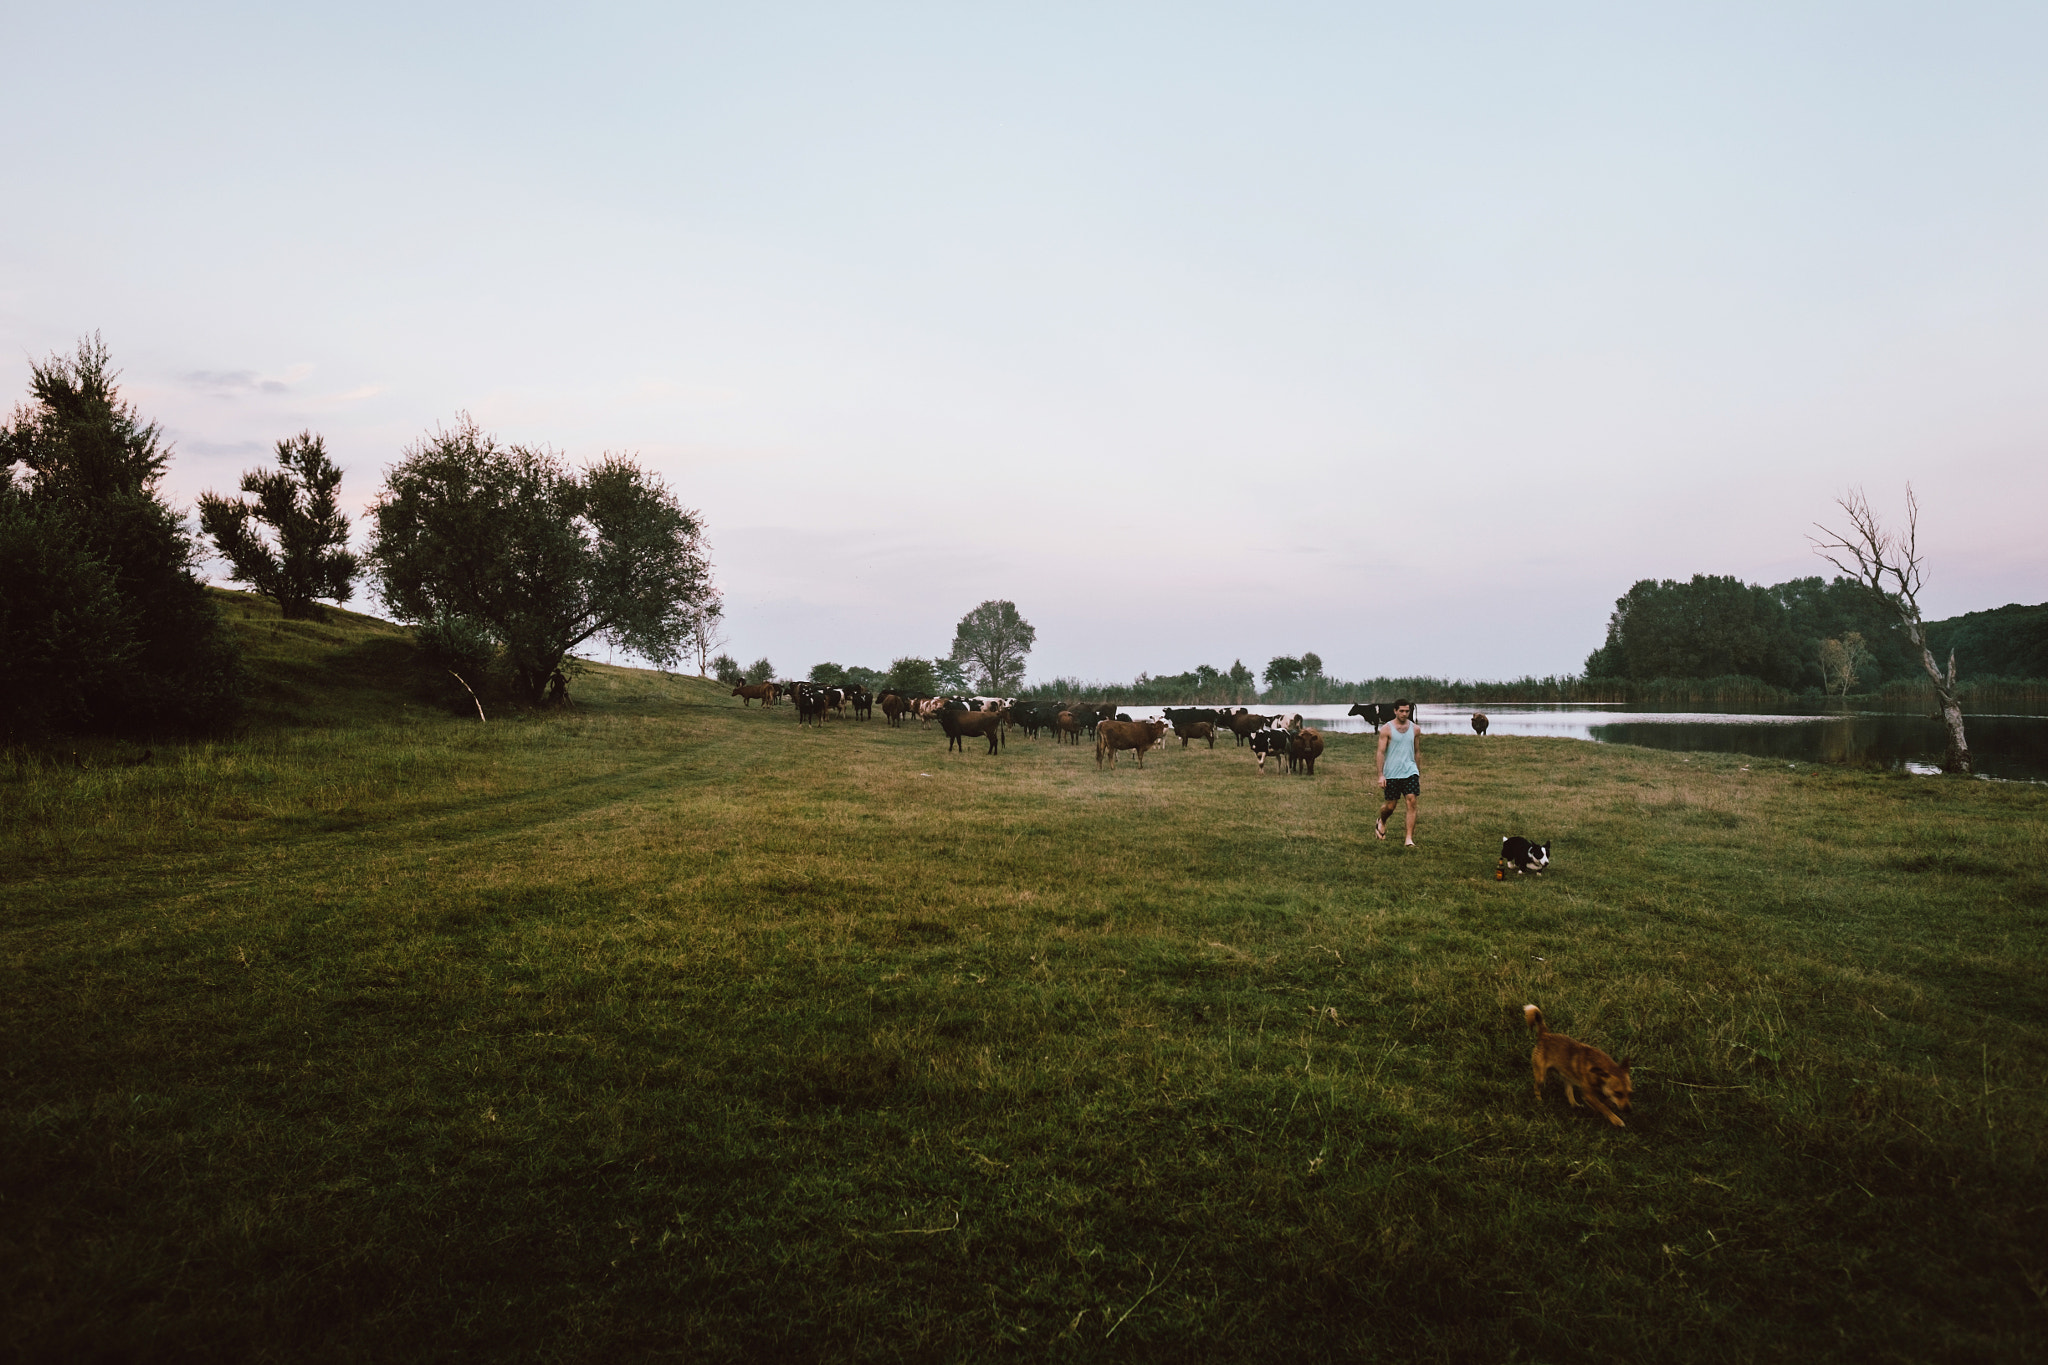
992,719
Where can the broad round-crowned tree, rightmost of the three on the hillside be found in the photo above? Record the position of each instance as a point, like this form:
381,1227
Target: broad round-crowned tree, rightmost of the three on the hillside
538,554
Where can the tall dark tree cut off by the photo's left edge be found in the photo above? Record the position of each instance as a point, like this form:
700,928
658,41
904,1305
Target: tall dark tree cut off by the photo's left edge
101,599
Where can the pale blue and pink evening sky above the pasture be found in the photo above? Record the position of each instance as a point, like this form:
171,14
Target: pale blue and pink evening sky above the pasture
1402,335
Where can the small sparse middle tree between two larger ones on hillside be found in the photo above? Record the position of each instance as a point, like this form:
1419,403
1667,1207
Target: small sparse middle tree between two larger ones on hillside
296,502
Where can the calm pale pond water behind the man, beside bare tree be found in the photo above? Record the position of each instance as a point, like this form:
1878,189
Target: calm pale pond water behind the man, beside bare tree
2000,746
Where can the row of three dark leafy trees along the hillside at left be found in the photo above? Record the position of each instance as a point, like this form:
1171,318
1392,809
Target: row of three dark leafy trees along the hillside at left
505,560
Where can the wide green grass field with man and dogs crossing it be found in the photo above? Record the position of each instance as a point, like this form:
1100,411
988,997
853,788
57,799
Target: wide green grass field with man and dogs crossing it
667,1028
